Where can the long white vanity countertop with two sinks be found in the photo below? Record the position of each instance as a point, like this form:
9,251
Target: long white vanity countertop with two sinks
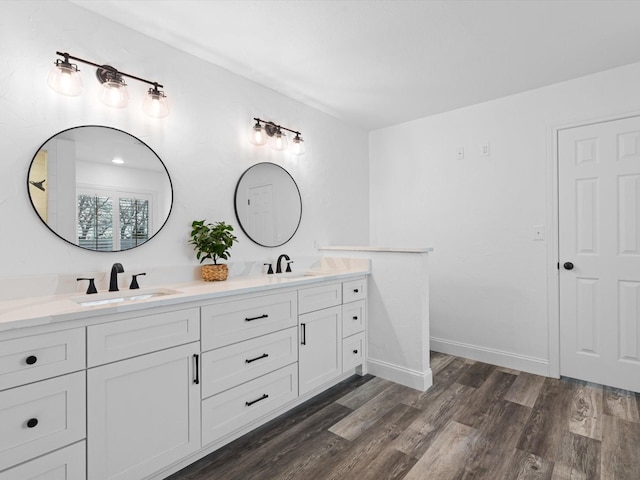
35,311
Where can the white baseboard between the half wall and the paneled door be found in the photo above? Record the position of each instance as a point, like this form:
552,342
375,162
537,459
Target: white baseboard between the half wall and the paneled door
538,366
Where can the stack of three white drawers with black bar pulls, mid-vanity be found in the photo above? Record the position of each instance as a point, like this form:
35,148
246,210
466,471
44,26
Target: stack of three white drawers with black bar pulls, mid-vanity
249,361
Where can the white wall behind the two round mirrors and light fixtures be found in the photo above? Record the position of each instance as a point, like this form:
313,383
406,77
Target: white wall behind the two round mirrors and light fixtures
203,142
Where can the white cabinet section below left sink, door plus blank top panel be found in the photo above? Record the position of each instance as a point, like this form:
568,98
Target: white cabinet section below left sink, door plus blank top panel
143,412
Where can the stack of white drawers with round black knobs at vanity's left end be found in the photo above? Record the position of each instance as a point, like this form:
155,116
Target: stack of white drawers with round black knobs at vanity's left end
42,403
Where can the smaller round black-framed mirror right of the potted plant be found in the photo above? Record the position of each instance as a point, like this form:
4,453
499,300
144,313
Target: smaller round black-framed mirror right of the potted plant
268,204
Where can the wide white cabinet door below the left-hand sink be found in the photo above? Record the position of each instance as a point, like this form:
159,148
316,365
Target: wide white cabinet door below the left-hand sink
143,413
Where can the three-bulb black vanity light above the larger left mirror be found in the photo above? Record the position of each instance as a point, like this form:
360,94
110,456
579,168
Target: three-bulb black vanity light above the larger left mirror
65,79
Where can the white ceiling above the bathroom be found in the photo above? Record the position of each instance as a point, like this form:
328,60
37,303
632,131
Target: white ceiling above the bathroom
375,63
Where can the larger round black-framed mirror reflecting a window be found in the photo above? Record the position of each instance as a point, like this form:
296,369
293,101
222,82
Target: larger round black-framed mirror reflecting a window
100,188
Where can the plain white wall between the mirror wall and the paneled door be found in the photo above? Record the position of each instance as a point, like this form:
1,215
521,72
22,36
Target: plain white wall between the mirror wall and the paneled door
489,296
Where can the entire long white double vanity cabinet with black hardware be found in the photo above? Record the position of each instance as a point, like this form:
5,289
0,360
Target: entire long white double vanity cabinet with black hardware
140,392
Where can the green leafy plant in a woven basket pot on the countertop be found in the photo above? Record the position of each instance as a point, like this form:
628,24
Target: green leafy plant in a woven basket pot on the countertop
212,241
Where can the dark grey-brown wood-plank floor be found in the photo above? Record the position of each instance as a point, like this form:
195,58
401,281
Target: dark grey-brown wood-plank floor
478,421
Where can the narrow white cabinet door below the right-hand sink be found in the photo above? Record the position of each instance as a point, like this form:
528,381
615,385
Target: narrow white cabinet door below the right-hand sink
319,348
